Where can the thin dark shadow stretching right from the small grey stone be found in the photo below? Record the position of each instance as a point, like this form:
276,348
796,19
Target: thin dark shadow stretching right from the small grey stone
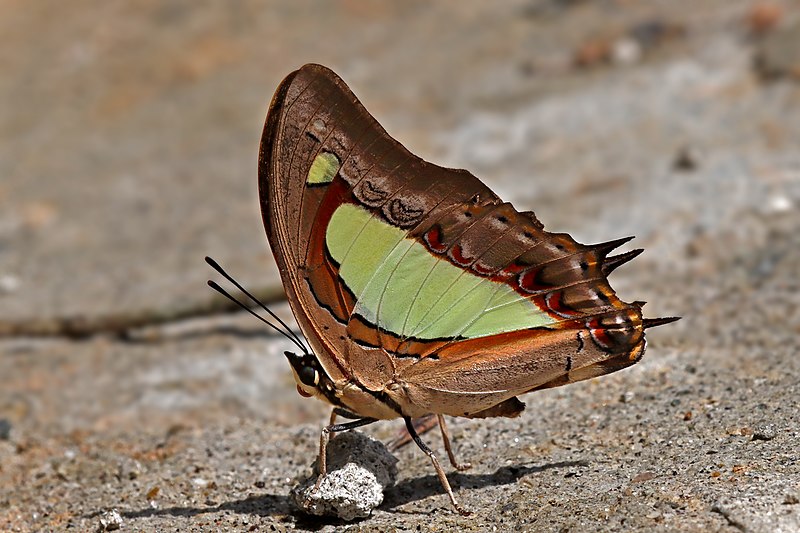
411,490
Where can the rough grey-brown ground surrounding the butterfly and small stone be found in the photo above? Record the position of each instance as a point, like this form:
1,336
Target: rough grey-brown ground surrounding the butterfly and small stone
128,141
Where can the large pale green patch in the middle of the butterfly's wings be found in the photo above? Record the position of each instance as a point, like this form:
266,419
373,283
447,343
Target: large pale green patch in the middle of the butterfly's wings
401,287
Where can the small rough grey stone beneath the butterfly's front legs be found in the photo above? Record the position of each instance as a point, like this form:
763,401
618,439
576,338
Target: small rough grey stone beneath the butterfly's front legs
360,469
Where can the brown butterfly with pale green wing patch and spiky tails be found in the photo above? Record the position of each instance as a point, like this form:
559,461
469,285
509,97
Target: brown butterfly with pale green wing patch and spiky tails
420,293
